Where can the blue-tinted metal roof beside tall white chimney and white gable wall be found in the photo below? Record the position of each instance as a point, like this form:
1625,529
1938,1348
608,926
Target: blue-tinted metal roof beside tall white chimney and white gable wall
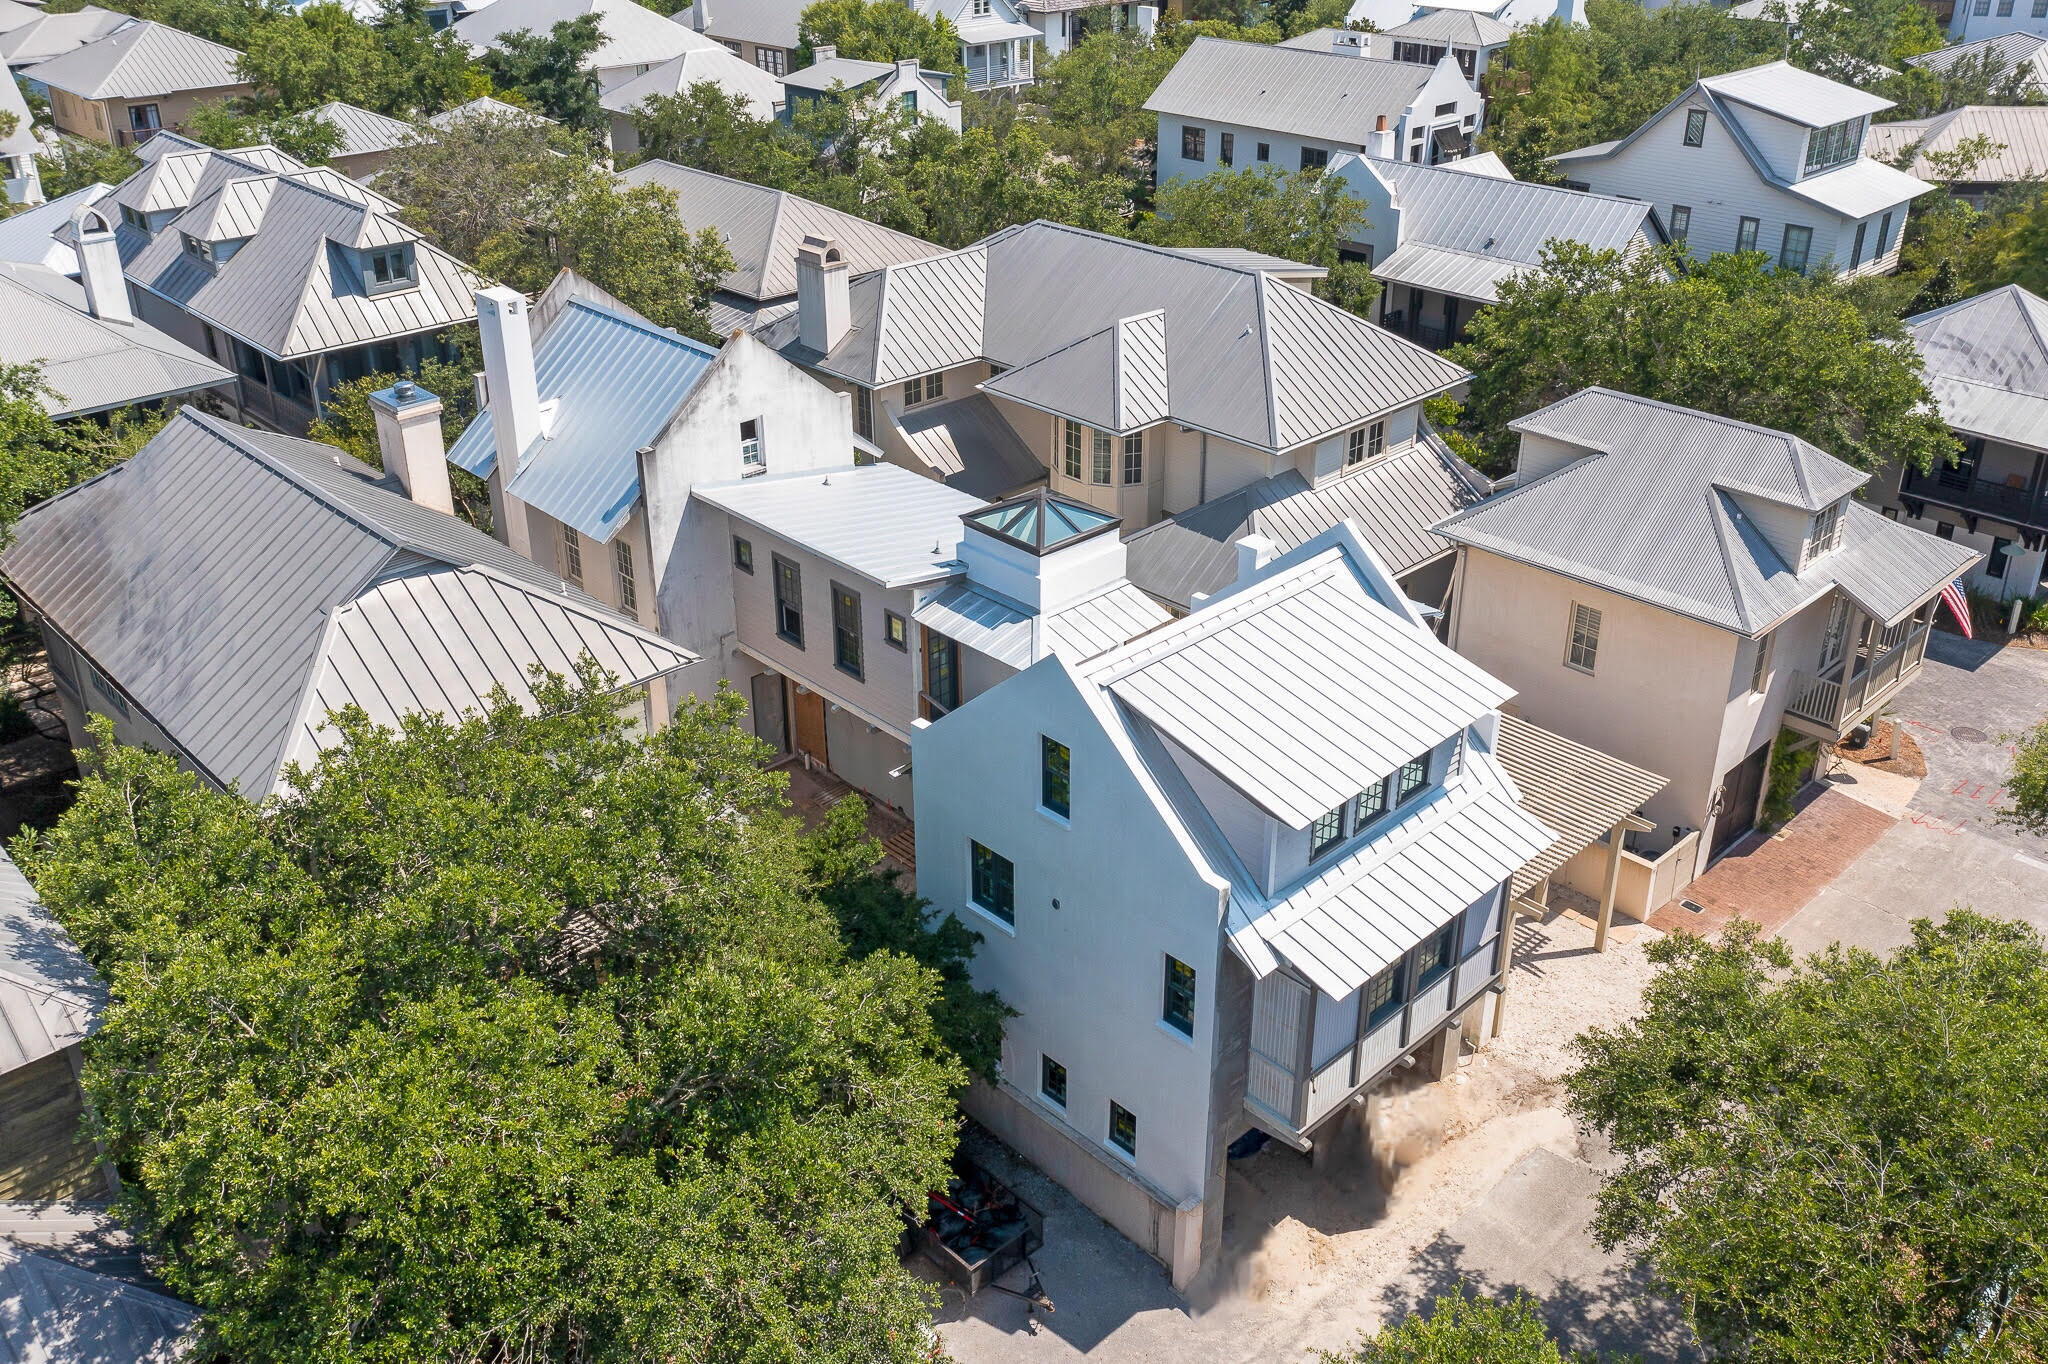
617,382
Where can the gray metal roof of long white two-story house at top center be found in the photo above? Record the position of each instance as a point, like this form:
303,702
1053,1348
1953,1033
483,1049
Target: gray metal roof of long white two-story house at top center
1316,95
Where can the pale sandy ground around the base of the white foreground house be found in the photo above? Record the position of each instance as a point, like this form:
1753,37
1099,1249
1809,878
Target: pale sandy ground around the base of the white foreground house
1316,1256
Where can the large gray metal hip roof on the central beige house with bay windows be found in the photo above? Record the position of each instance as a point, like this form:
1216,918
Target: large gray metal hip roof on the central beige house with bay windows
1248,357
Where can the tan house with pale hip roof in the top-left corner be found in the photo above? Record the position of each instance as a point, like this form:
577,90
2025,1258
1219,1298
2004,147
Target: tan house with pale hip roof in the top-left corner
138,81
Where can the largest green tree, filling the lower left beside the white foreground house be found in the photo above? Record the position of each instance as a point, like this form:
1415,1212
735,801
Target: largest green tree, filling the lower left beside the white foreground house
503,1039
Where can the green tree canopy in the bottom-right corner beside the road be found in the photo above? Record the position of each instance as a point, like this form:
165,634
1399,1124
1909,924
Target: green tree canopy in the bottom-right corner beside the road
1842,1160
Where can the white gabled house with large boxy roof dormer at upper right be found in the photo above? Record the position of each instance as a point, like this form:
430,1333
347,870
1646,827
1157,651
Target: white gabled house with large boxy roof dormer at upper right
1762,161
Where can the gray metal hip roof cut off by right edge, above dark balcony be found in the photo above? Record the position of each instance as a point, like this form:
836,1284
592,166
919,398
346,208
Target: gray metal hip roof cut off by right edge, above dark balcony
1988,366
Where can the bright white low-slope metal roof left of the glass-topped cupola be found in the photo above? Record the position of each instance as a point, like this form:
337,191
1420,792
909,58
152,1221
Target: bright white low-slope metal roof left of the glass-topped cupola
890,525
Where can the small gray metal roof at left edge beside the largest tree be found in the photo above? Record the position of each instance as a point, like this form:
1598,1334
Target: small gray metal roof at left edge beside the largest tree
50,996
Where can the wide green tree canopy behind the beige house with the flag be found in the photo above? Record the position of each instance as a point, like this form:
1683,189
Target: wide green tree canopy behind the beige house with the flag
1691,337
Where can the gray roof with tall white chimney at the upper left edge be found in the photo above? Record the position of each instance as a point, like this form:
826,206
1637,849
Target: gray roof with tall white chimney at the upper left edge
83,337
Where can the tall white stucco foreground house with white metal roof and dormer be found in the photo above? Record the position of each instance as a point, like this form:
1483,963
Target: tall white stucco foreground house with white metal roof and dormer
1232,873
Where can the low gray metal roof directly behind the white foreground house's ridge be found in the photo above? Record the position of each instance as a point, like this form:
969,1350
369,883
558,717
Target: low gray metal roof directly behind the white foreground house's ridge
1394,503
